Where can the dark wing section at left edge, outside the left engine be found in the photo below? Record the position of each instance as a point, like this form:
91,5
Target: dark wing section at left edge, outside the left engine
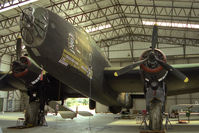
9,82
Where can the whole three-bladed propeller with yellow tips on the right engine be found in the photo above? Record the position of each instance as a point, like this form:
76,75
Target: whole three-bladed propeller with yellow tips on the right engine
152,57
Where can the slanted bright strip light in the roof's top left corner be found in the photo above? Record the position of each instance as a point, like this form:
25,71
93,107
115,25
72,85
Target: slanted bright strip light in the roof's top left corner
8,6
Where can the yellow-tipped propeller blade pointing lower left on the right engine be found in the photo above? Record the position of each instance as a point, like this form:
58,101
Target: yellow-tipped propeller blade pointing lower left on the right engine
128,68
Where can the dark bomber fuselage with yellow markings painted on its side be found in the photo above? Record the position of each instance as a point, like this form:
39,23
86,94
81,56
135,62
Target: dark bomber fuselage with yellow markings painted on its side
71,56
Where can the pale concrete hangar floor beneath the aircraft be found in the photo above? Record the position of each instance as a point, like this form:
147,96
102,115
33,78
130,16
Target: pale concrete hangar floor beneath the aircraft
99,123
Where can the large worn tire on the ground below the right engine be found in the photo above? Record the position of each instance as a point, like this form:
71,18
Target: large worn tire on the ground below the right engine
155,115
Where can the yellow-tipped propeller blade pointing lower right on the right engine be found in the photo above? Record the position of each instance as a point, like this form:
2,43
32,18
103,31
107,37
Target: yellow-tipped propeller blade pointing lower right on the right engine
174,71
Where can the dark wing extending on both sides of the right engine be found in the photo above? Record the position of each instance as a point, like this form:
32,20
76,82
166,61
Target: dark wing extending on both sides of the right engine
133,82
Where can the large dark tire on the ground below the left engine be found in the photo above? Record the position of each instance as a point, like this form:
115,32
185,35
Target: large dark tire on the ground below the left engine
31,114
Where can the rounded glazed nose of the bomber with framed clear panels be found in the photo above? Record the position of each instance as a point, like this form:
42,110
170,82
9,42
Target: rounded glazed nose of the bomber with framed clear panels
33,25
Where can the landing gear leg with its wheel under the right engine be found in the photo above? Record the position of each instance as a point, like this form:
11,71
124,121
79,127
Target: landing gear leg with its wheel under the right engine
155,103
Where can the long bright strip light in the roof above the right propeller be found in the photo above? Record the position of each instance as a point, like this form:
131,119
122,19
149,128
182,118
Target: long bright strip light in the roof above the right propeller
172,24
